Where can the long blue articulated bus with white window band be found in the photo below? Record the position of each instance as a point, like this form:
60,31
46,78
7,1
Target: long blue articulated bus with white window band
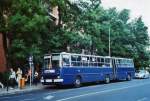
70,68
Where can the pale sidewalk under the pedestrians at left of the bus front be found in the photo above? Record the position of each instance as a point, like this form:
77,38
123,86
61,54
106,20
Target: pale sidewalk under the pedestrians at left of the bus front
16,90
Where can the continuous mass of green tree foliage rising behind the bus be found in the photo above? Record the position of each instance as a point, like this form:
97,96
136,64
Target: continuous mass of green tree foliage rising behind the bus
81,25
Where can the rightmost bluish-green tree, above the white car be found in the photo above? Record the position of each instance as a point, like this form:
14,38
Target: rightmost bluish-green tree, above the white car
140,42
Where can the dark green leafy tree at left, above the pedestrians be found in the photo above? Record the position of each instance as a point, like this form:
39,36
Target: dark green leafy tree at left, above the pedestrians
30,25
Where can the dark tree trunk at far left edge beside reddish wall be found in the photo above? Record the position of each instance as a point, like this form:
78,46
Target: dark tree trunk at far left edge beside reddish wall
5,12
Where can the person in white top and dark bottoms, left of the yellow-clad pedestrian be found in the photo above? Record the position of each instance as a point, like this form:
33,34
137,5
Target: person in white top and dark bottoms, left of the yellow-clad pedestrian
12,78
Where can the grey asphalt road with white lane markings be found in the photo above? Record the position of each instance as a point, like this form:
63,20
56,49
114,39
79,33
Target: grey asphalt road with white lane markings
135,90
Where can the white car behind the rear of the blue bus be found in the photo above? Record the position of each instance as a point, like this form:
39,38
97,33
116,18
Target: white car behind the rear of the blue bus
142,74
